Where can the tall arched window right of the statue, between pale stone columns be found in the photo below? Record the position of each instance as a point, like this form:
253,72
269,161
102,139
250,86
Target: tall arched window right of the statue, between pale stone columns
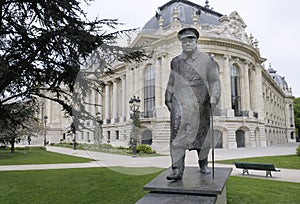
235,90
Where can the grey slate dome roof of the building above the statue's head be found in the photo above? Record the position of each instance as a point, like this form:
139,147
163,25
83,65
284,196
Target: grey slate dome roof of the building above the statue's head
185,11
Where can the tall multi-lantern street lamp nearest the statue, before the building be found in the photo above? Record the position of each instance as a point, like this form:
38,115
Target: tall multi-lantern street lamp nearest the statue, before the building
134,105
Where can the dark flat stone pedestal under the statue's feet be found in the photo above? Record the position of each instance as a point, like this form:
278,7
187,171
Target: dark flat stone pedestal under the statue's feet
193,188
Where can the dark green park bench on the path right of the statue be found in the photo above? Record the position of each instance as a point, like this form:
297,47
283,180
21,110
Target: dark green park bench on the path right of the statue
256,166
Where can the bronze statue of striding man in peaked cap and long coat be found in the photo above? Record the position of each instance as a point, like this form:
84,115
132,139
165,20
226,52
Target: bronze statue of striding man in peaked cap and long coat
192,93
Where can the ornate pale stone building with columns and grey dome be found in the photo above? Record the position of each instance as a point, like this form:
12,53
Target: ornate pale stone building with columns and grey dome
256,107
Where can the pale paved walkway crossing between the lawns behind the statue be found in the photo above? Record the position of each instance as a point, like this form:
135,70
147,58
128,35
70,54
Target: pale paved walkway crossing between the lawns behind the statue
113,160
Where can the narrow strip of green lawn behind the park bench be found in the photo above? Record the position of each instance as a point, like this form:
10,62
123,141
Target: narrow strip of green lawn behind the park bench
286,161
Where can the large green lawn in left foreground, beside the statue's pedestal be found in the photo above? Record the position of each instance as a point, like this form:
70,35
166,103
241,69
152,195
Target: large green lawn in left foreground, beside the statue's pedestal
82,186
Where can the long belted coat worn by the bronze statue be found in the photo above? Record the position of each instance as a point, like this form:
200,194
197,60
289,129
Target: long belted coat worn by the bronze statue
193,84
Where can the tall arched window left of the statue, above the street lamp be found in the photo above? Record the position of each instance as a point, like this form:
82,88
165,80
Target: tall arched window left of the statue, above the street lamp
149,92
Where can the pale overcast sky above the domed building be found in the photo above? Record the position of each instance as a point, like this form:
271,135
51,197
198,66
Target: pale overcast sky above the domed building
275,24
